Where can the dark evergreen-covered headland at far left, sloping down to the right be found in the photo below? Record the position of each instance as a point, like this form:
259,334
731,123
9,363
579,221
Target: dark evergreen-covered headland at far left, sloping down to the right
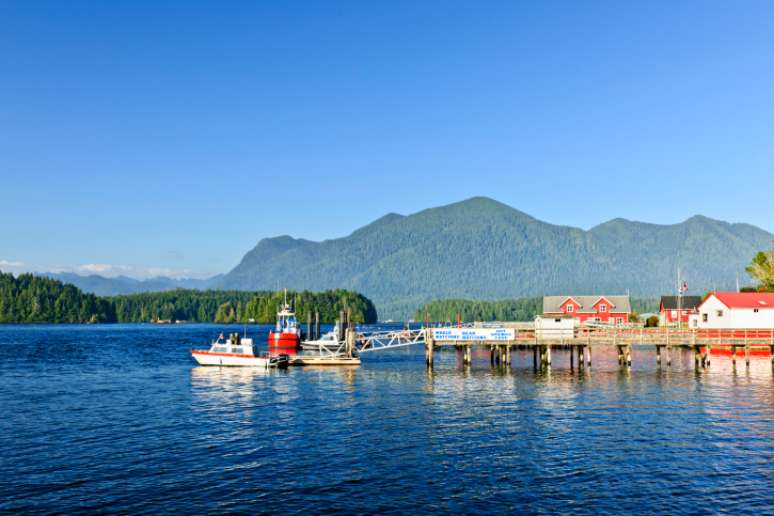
33,299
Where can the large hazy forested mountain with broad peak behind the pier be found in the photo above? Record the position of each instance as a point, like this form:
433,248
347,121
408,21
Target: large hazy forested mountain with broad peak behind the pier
483,249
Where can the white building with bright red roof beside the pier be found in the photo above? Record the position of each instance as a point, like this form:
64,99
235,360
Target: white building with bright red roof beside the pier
735,310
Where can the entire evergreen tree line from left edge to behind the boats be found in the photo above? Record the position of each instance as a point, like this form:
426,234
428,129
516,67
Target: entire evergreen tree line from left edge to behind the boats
35,299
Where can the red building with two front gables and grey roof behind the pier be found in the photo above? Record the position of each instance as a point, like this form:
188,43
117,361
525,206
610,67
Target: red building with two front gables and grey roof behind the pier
603,309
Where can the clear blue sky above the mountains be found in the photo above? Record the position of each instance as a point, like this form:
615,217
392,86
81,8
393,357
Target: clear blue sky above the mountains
171,136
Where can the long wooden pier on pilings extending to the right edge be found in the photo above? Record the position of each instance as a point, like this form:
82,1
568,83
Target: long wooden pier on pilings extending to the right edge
582,342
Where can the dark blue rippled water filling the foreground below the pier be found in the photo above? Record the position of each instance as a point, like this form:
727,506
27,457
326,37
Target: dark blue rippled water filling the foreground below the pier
119,419
